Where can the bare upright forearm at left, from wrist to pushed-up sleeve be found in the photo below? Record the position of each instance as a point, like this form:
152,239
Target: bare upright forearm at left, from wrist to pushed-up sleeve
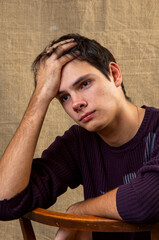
15,165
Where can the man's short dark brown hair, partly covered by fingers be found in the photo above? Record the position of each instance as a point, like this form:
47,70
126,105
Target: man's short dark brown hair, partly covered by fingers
90,51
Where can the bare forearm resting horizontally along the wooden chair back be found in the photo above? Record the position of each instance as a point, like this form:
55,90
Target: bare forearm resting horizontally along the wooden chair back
103,206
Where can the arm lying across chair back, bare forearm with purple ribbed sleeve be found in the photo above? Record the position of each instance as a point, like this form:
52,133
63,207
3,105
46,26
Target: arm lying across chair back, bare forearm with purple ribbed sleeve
135,202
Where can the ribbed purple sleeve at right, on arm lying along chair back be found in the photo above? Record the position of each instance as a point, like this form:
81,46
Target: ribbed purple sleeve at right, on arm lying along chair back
138,201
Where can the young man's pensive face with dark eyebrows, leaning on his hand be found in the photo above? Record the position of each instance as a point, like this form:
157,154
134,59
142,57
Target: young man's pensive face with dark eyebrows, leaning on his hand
88,97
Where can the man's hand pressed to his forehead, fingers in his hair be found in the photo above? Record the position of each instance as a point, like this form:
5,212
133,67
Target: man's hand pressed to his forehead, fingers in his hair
49,69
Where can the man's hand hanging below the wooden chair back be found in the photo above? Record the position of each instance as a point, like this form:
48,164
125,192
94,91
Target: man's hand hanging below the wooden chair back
65,234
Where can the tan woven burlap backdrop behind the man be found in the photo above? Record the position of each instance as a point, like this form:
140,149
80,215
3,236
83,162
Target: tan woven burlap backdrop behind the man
130,29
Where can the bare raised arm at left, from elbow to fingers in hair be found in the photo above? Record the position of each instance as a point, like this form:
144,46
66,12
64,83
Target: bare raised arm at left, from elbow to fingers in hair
16,163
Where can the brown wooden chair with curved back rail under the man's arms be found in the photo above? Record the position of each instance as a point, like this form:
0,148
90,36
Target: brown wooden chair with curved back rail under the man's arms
81,222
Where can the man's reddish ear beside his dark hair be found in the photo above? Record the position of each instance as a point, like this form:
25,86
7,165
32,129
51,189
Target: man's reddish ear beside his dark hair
115,73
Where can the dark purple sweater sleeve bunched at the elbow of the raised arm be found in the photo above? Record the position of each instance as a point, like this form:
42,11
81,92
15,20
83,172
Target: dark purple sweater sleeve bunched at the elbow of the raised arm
51,174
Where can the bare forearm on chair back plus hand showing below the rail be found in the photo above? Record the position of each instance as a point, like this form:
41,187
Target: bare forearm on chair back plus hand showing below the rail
102,206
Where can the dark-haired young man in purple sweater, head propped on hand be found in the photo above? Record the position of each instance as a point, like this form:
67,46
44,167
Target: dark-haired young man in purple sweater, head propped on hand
113,153
